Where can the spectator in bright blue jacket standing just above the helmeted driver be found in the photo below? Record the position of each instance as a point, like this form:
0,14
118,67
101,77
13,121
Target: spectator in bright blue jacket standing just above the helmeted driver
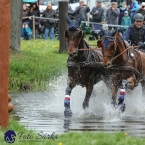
133,9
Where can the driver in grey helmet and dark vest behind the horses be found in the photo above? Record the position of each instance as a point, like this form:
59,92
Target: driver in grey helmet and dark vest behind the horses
136,32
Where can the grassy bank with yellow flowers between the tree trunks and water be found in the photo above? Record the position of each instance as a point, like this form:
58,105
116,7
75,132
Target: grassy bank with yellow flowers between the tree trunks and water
36,64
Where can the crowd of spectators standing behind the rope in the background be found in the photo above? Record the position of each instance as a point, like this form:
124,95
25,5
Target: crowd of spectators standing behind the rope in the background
118,14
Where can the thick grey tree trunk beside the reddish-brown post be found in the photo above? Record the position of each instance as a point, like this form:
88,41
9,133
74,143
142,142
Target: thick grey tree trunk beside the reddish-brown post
16,24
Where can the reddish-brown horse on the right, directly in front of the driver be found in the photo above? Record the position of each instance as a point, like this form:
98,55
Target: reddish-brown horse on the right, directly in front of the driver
125,63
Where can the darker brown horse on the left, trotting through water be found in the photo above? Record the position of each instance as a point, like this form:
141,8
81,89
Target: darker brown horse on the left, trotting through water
84,65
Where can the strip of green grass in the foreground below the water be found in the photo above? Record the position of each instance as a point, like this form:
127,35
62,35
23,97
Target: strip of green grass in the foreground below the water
85,138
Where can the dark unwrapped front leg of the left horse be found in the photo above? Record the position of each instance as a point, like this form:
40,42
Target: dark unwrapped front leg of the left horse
89,89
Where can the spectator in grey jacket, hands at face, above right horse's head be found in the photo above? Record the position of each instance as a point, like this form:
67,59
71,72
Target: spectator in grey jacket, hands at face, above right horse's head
112,15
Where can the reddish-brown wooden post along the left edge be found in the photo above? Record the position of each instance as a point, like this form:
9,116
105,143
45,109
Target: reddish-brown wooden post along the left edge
4,60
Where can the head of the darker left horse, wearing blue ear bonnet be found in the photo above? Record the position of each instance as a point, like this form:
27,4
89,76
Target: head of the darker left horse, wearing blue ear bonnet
74,35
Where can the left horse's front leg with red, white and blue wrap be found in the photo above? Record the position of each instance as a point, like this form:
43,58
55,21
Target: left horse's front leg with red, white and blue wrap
70,86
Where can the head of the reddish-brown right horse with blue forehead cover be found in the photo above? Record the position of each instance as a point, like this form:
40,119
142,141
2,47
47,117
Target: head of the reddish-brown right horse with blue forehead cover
108,45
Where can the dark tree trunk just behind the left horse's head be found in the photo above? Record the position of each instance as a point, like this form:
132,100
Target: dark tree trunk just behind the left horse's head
63,11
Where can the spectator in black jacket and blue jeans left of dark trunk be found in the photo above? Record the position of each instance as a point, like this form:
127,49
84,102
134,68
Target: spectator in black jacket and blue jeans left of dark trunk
49,24
